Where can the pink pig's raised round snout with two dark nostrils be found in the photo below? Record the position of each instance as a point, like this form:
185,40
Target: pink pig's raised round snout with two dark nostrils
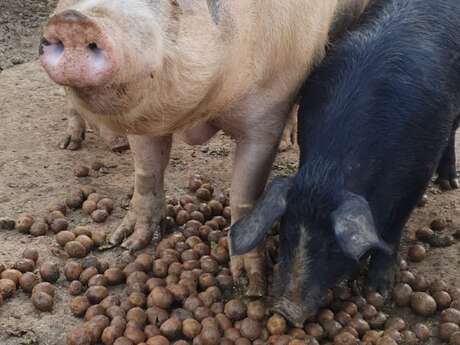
75,51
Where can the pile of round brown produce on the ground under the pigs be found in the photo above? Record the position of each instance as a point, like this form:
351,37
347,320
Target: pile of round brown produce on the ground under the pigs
184,293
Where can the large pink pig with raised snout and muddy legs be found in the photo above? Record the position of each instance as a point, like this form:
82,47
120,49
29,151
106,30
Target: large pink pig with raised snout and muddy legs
151,68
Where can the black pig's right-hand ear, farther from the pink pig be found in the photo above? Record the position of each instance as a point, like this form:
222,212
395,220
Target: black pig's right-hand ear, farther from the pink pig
355,229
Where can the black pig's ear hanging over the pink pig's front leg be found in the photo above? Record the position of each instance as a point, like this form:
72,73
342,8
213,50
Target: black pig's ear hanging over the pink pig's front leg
250,230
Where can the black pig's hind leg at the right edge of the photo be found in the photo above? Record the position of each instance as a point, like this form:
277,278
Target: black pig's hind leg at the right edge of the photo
447,169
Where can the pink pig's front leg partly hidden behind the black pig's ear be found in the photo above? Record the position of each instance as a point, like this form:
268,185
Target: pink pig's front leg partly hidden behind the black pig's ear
252,167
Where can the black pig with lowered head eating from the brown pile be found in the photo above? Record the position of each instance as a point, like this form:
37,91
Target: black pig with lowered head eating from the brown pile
374,121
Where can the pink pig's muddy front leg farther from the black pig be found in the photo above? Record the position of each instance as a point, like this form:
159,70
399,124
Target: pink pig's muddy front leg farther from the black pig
151,156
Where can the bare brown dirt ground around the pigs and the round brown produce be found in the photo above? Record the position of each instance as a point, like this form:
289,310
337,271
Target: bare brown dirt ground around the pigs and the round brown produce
34,171
